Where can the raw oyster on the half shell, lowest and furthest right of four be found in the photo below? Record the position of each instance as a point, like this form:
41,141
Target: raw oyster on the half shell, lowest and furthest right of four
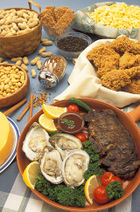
74,166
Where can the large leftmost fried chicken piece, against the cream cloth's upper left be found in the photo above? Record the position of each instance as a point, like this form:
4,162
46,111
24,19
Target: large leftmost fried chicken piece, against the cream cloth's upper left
104,58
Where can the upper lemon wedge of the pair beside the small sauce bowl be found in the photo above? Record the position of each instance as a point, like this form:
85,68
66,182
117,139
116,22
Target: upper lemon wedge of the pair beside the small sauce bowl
53,111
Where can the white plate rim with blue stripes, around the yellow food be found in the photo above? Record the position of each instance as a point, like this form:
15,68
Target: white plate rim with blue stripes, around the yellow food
12,155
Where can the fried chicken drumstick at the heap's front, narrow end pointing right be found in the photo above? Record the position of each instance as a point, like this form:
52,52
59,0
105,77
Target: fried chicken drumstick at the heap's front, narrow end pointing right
119,78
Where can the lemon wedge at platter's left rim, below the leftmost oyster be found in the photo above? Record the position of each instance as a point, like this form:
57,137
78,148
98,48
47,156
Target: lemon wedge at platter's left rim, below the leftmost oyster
30,174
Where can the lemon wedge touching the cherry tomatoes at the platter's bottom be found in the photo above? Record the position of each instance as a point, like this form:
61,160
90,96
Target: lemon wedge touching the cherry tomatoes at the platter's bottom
90,186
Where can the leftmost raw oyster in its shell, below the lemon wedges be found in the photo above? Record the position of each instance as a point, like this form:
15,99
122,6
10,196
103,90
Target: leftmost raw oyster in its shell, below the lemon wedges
36,140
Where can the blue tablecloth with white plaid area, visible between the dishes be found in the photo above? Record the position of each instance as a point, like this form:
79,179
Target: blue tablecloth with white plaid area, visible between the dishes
14,195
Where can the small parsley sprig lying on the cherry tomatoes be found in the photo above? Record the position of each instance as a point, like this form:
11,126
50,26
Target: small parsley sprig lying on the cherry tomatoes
114,190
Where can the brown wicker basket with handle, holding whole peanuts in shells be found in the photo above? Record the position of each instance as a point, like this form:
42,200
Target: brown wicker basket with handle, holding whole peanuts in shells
20,45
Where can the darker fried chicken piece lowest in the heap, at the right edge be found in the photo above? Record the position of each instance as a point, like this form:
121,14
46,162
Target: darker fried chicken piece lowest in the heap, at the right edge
134,87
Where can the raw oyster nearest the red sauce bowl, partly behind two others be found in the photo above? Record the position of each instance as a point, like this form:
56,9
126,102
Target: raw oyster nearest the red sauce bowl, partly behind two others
65,143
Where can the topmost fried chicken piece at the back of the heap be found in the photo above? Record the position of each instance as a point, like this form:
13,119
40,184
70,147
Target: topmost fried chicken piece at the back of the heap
123,44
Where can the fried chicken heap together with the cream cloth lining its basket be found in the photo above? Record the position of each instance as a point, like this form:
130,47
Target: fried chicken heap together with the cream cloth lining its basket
108,70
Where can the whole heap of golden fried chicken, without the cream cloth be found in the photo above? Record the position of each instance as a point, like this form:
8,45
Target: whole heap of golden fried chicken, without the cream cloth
118,64
